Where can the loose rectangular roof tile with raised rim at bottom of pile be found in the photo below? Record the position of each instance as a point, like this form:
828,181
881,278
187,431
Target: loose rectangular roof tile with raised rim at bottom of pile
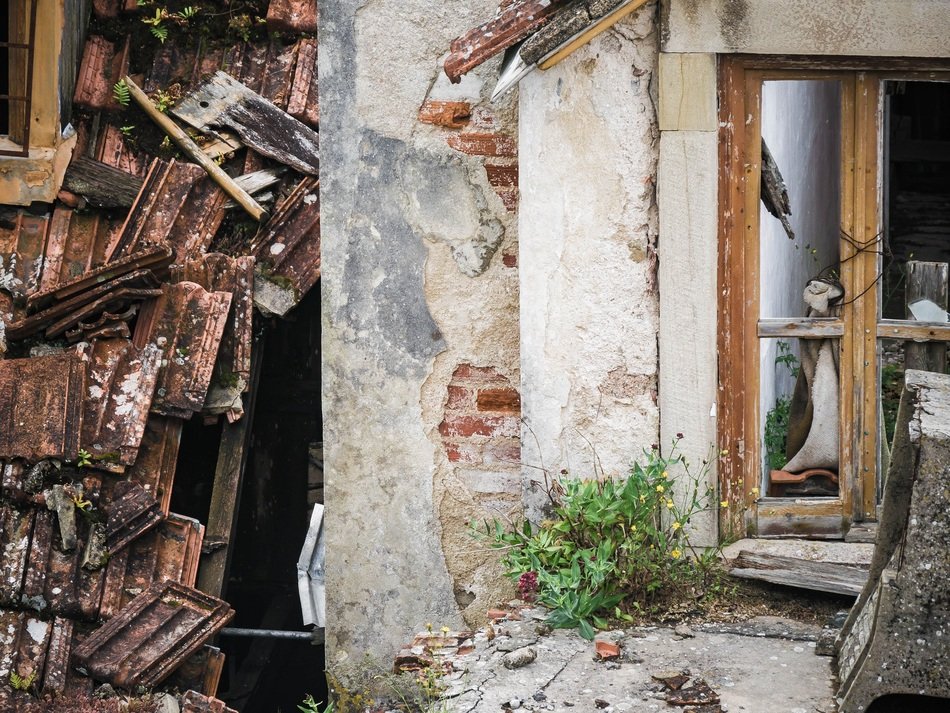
150,637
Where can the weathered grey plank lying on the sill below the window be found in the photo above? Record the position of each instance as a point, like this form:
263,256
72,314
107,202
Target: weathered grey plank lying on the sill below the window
799,573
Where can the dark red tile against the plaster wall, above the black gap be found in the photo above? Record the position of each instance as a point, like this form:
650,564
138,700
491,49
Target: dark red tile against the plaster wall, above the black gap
288,246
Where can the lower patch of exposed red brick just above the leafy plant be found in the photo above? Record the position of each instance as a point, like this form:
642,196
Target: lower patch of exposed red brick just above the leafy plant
481,429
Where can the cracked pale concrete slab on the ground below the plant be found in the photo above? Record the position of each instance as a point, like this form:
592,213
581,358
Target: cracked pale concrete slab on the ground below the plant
751,672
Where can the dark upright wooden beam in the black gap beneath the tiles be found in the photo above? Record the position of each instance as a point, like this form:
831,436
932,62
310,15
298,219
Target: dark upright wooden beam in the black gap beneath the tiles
226,491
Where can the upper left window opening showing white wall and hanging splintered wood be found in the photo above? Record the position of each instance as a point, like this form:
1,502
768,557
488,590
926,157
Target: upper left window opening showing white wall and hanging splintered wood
799,236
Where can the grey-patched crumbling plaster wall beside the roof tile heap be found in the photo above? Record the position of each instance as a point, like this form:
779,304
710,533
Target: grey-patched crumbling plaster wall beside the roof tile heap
419,280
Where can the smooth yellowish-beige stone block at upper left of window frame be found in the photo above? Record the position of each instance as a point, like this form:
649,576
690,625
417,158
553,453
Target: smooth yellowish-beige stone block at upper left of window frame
687,92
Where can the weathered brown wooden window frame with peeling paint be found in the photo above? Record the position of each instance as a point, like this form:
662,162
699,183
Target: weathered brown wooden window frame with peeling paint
859,327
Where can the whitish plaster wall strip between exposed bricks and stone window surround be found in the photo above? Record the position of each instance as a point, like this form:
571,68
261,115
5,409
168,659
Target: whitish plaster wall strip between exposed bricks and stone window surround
587,231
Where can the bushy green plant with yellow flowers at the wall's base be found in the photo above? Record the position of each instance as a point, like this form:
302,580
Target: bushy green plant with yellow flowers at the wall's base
612,546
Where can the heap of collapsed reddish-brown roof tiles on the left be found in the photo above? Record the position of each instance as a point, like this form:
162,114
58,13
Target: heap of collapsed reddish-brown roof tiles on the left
122,314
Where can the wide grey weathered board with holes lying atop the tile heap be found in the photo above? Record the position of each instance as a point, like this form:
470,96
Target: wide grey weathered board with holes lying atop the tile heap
222,101
